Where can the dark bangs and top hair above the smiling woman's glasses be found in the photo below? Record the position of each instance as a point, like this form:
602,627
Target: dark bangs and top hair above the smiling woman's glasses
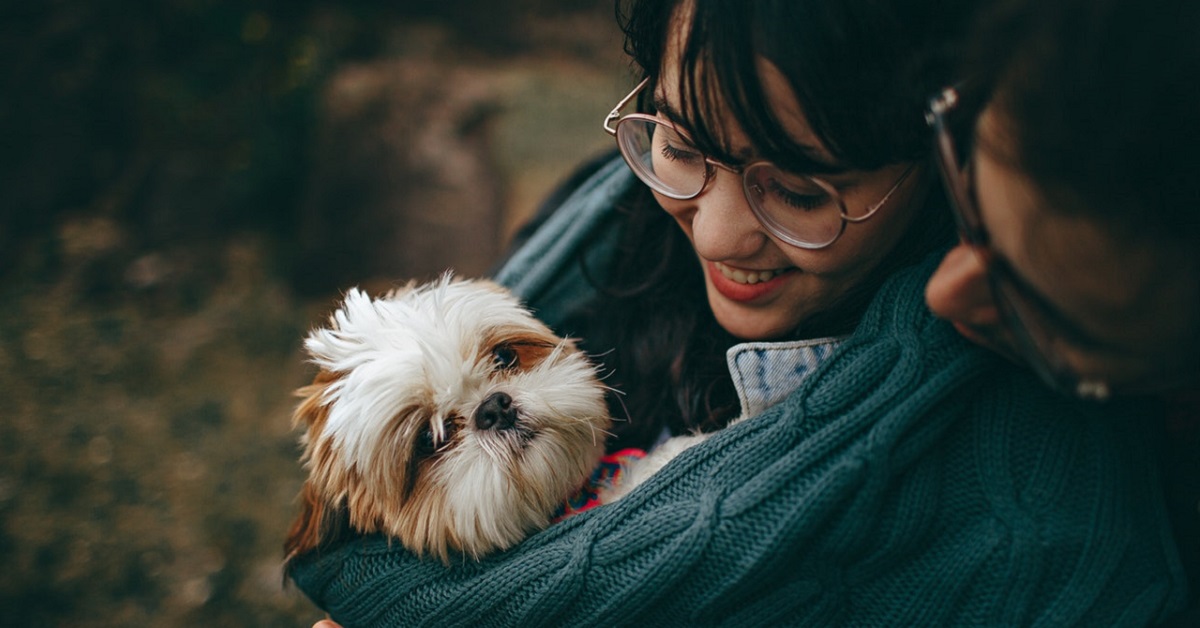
862,71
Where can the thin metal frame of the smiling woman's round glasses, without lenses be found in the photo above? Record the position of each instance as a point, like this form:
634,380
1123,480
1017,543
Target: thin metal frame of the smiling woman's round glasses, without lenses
769,223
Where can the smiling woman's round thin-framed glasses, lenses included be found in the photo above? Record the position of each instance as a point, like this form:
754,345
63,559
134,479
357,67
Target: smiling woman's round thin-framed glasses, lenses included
801,211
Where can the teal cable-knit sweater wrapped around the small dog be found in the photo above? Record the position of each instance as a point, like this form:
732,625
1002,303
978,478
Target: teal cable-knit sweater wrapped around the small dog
911,481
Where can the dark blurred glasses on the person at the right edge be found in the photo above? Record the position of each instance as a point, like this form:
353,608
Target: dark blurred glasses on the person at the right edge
1030,324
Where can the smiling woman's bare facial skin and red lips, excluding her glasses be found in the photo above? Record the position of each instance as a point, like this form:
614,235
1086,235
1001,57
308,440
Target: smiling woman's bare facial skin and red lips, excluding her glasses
763,289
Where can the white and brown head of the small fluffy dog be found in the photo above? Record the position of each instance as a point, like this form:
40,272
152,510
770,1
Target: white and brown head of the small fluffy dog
447,416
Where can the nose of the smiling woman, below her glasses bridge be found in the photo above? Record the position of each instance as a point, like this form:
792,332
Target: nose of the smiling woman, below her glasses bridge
723,225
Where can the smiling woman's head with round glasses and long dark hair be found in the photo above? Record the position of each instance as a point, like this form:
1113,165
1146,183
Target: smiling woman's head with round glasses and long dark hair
796,212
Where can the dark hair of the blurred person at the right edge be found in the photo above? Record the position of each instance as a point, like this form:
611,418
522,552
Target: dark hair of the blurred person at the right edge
1100,105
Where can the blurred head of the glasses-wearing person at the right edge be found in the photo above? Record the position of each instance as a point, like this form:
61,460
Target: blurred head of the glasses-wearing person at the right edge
1072,148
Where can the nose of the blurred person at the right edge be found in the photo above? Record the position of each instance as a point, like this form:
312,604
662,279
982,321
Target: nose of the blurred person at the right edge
959,291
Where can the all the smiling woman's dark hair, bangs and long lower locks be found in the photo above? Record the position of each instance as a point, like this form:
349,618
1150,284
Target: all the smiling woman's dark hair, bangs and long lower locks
862,71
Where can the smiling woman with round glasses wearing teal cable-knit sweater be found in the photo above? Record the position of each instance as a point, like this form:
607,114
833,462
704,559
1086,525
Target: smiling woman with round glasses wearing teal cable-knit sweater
891,473
